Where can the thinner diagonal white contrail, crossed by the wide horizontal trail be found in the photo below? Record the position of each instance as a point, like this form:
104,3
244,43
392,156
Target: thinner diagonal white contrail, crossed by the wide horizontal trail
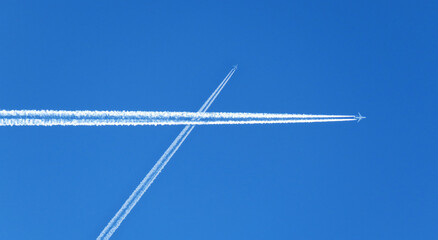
115,222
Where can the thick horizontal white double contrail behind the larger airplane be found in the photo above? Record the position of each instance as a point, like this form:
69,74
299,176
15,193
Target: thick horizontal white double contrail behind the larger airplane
144,118
